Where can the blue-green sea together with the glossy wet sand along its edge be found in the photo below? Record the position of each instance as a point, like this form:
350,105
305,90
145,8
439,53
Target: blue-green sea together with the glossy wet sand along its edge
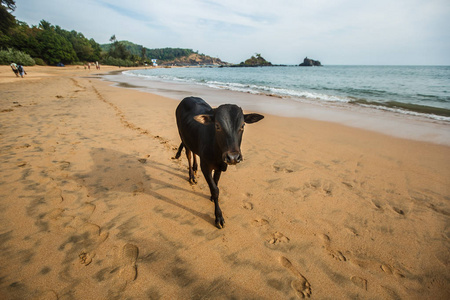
401,101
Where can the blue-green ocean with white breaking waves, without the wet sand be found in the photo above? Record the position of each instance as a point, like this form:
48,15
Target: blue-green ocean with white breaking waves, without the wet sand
422,91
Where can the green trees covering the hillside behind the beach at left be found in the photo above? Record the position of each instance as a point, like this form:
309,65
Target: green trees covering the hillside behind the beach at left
50,44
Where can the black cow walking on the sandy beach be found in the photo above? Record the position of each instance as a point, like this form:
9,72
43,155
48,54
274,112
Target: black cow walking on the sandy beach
215,135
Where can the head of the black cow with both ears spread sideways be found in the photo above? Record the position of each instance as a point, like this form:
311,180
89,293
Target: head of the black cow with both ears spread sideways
229,122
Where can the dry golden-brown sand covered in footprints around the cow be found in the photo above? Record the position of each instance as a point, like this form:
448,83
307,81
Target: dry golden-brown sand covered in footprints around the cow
94,207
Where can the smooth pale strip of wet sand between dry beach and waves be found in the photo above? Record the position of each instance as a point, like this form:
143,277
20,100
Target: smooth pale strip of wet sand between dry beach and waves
376,120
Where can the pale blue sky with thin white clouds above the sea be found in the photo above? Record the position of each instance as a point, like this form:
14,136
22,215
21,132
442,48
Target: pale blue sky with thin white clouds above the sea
336,32
